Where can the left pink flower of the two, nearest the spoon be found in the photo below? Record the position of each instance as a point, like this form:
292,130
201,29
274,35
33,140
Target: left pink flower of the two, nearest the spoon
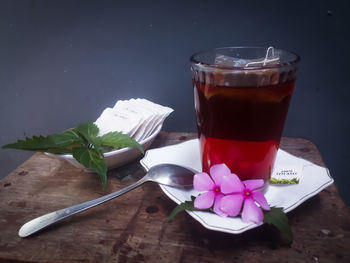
203,182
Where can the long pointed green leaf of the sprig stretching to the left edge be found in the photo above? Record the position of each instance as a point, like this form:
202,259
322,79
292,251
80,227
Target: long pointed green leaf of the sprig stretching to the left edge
54,143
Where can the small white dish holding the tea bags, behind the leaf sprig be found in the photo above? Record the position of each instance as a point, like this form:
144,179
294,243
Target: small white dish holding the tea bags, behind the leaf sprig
115,158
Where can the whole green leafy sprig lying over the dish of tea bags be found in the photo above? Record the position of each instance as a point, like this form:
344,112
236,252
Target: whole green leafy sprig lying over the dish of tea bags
83,143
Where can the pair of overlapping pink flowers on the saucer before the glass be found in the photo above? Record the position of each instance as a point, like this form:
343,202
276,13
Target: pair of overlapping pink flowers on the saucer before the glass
228,193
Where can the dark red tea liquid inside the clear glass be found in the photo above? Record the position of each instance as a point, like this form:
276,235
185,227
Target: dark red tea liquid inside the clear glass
241,126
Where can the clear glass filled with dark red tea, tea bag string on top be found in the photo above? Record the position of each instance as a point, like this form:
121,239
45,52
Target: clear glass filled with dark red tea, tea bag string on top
241,98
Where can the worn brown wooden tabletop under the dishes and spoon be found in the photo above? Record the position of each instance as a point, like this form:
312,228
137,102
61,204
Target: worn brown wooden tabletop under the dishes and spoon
133,227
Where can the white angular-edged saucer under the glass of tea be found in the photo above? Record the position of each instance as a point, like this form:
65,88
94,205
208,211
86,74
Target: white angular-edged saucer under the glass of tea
313,179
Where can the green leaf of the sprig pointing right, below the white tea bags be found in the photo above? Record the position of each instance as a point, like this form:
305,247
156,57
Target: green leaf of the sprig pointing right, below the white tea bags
115,140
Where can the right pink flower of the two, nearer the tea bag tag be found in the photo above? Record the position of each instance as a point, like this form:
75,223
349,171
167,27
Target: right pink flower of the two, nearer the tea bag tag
243,192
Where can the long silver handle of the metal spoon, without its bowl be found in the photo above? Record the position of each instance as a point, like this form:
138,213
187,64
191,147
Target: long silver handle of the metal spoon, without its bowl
41,222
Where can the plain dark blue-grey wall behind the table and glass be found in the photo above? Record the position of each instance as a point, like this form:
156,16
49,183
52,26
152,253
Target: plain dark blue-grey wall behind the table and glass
63,62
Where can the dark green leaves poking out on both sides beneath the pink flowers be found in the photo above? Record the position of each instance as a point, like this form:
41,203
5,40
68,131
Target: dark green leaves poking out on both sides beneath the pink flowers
275,217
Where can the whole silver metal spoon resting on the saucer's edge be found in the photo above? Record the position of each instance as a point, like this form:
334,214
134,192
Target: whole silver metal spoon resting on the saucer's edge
166,174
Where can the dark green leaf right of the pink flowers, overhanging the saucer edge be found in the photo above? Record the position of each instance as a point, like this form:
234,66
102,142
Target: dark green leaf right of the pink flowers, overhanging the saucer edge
278,218
